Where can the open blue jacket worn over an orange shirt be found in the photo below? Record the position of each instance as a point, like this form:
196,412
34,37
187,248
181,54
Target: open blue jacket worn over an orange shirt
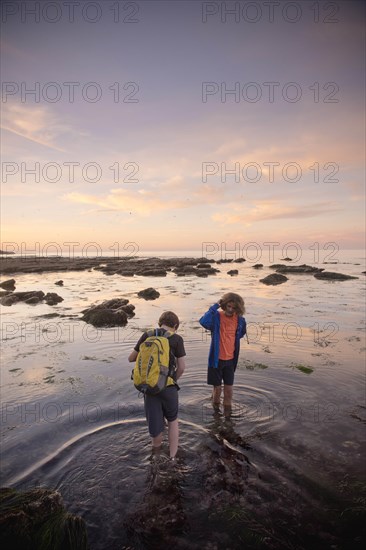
211,321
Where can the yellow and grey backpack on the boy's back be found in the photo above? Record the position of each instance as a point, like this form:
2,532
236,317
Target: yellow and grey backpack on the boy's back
151,373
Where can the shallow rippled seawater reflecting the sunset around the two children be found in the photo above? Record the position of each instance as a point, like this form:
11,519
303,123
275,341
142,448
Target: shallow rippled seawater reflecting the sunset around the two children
73,420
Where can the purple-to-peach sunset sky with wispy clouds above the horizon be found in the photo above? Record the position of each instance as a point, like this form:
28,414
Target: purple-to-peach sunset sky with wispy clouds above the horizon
170,124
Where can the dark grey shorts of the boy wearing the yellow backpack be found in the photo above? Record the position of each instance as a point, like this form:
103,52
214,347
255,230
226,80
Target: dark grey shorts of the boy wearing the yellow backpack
160,406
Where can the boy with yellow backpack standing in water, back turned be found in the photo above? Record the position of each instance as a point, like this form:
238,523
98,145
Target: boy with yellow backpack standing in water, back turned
159,363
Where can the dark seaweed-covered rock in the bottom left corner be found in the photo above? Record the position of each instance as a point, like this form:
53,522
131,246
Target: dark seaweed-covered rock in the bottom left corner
38,519
